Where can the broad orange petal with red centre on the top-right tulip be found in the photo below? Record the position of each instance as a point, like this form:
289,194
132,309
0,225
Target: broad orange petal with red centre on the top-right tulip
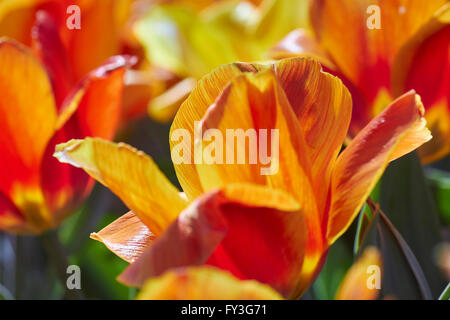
365,55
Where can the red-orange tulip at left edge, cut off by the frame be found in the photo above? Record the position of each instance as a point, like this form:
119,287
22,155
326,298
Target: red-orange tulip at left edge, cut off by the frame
37,192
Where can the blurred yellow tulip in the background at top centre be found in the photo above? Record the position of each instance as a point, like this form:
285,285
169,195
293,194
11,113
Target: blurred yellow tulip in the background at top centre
191,42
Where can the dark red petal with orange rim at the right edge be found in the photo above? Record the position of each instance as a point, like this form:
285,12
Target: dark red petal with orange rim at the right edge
423,64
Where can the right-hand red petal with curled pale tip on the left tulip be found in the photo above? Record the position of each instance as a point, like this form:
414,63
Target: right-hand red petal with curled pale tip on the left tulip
92,109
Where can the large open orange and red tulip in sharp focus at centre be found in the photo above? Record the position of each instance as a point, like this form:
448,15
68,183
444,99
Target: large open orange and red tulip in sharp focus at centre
274,228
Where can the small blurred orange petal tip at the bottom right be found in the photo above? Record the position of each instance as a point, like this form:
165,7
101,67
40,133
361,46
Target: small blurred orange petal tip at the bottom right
357,283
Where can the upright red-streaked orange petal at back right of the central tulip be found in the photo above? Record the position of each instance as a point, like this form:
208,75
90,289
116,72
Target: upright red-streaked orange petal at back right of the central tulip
323,107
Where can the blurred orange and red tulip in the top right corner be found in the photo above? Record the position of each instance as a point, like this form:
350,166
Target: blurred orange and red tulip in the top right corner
408,49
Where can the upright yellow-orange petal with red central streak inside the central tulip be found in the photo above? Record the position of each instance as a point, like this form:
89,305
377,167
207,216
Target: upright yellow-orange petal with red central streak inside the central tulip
257,102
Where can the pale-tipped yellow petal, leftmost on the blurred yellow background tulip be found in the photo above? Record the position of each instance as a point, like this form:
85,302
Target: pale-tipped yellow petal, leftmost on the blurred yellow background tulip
180,40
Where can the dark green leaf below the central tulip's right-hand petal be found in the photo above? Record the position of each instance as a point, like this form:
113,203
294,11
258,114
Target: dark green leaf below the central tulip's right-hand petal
407,201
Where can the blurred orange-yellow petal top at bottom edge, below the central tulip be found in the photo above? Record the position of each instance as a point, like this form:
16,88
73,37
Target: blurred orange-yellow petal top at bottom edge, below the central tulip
204,283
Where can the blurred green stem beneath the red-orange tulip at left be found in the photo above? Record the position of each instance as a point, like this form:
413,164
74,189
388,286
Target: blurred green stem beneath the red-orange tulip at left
58,258
